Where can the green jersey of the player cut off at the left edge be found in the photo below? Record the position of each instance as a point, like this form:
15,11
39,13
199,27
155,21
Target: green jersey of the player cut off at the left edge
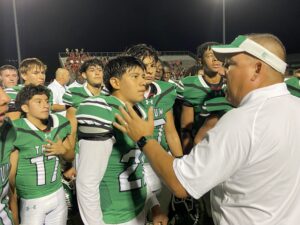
7,135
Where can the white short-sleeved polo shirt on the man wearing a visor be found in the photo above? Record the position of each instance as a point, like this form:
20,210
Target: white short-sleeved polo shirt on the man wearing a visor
252,160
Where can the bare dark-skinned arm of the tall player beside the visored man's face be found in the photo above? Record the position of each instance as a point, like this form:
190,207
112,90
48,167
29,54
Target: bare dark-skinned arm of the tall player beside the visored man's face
186,124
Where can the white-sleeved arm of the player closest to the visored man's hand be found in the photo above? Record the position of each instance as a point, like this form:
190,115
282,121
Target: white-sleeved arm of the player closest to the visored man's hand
89,176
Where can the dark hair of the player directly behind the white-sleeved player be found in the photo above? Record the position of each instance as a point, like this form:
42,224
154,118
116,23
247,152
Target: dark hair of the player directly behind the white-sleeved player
142,51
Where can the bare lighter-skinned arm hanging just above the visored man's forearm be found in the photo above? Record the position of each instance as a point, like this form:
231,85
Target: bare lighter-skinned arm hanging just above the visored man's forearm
172,136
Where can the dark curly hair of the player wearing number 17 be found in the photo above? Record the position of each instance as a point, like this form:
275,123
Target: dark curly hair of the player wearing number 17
27,92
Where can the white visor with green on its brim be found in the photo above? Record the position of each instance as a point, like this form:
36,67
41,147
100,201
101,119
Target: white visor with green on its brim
244,44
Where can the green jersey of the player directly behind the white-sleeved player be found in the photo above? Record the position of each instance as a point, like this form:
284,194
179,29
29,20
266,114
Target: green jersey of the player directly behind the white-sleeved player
162,98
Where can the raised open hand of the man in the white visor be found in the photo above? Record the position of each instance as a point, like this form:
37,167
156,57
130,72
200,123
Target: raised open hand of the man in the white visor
131,124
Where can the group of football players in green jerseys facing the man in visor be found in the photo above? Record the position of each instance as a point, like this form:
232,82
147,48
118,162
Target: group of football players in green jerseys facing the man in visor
44,142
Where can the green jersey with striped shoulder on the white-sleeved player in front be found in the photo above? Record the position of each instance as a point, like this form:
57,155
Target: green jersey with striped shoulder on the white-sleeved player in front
122,189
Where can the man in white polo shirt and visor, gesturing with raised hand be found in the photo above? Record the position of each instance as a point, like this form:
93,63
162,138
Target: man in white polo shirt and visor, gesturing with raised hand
251,159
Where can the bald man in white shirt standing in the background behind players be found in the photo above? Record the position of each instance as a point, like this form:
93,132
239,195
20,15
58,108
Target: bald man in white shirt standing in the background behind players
58,88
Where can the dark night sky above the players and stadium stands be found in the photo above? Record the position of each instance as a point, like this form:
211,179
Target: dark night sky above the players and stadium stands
47,27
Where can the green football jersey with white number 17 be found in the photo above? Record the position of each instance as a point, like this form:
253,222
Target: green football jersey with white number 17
38,175
